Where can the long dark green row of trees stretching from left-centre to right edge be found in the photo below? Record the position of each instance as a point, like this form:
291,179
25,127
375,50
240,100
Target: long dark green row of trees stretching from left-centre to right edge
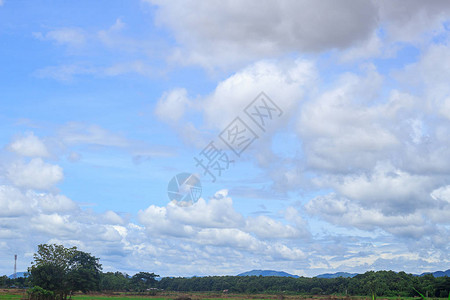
381,283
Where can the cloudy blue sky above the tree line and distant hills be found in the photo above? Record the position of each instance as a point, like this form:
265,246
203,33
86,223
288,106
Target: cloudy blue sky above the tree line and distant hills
319,131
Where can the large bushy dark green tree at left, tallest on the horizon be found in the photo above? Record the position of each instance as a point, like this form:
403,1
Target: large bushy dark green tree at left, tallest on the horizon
63,270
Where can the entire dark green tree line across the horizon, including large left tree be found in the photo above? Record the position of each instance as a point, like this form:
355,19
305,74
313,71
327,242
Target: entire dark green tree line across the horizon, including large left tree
57,272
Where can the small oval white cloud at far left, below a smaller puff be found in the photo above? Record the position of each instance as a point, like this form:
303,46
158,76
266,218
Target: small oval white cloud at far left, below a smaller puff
35,174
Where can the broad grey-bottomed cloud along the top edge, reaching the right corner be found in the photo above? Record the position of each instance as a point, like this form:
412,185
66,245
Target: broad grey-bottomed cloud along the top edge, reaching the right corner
220,33
